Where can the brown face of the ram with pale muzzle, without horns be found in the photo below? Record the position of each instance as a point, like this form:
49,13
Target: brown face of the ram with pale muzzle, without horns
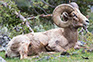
79,20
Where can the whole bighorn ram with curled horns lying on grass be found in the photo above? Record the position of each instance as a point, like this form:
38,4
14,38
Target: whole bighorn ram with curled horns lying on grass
58,40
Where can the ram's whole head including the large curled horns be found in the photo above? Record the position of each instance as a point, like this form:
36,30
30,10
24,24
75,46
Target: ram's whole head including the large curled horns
71,16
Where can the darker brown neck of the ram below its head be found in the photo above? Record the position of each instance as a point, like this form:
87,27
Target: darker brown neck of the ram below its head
71,35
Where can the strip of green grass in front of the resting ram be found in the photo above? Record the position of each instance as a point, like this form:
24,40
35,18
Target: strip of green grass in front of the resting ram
54,58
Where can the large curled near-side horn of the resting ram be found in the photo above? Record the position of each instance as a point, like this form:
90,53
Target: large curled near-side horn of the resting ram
57,13
